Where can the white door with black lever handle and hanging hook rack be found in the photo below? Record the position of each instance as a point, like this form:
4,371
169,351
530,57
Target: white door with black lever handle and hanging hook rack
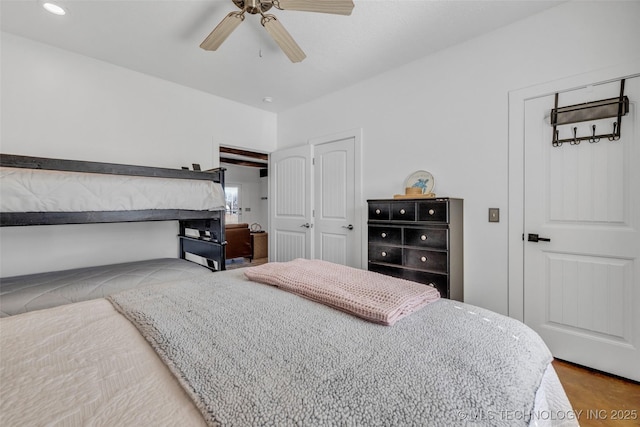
582,288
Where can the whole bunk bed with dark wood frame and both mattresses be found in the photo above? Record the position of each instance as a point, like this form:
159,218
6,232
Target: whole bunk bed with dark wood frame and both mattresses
45,191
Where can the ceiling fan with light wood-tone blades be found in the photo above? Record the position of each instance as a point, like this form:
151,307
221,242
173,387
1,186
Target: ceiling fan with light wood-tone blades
271,23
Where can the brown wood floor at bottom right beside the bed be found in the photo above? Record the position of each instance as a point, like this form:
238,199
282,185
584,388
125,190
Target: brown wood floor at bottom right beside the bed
599,399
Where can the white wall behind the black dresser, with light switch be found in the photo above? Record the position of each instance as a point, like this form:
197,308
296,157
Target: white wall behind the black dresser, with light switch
448,114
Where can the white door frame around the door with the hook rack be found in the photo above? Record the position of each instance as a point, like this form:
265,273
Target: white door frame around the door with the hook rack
517,99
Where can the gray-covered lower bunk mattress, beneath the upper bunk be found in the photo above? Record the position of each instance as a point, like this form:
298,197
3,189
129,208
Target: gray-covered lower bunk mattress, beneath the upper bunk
20,294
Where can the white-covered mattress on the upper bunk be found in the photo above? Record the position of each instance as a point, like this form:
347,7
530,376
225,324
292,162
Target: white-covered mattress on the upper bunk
35,190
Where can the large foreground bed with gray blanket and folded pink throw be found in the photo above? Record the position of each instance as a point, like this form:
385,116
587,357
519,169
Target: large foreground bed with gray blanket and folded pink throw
274,345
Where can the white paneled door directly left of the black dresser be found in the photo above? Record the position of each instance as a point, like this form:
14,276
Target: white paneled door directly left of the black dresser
336,232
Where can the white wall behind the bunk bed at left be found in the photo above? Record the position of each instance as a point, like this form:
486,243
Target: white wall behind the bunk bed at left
59,104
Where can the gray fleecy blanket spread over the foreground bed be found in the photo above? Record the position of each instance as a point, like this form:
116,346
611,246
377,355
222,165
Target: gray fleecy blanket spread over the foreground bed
251,354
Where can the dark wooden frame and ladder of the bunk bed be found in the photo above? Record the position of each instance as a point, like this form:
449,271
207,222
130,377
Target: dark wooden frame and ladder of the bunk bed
210,224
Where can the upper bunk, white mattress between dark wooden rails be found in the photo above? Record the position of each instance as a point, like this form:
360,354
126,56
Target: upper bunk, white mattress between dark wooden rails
44,191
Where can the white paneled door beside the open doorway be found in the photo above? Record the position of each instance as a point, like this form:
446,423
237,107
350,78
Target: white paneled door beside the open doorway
290,204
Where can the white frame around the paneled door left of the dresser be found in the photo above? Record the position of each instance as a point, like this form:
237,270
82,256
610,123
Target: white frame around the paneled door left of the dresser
359,213
